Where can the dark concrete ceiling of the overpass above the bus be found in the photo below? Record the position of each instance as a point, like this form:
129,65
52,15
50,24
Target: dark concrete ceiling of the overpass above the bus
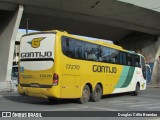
106,19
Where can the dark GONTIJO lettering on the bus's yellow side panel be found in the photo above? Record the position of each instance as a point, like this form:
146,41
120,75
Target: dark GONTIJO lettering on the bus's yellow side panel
104,69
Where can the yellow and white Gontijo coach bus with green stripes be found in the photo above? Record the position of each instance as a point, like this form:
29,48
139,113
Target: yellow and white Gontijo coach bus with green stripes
58,65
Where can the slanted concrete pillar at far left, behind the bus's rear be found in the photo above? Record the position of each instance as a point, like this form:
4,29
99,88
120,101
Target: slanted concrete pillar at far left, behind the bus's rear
7,41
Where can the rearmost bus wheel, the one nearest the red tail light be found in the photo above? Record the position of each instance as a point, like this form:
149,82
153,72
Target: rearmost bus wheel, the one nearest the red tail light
85,95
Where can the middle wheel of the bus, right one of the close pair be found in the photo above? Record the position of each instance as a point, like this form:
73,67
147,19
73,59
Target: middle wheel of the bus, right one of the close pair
96,94
